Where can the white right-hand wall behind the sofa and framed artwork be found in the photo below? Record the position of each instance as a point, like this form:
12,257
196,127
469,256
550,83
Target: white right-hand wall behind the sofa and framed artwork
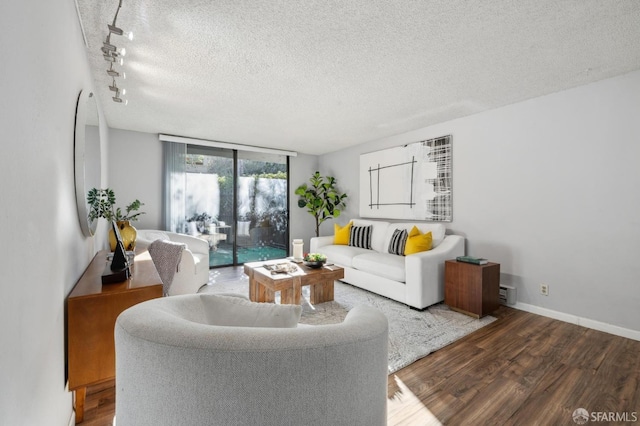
549,189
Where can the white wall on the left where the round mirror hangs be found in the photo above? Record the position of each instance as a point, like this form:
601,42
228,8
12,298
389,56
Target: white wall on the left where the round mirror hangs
43,252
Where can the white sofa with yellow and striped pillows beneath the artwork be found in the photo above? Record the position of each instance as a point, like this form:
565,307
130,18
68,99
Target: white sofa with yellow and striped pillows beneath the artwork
416,280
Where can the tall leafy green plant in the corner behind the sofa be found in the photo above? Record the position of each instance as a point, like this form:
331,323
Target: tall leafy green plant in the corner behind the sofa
321,199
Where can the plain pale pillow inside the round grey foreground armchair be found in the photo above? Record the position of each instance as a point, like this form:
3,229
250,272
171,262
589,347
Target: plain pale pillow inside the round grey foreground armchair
237,312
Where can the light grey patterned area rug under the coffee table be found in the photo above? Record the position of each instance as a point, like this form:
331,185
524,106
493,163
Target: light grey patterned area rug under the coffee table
412,334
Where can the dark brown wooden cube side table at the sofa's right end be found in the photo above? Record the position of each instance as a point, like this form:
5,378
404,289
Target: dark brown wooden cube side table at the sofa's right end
472,289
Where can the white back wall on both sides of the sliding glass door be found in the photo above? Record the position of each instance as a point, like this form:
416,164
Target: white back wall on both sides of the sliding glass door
135,171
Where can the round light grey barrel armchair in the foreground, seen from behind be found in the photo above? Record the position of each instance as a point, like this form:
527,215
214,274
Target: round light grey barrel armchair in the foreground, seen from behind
206,359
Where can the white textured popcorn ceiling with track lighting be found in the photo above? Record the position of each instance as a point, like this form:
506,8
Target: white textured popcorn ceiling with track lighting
317,76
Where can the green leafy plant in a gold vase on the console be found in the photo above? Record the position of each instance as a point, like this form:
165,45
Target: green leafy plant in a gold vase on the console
101,204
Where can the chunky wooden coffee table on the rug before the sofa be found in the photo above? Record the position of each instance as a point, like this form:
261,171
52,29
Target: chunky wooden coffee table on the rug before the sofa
263,284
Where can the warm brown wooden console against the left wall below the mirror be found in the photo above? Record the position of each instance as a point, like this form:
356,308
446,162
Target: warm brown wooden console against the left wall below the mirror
92,309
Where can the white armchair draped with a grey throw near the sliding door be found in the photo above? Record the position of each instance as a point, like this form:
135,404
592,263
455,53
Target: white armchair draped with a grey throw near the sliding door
193,270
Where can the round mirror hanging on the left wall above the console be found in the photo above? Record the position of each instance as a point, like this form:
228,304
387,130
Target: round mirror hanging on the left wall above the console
88,156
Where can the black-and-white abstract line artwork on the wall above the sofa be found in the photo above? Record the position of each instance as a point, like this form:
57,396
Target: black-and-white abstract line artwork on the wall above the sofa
408,182
